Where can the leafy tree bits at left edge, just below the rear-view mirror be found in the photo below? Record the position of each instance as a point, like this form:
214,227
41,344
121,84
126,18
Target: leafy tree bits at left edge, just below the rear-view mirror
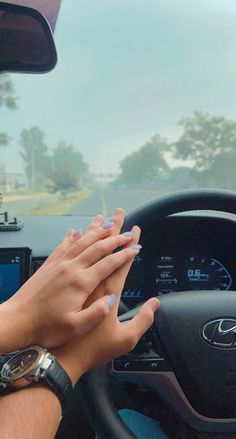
8,100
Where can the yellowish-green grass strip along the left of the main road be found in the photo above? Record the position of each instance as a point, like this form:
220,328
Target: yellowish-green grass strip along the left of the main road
60,207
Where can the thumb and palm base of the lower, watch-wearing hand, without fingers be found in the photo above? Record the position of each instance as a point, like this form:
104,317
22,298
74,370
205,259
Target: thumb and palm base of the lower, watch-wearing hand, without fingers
109,340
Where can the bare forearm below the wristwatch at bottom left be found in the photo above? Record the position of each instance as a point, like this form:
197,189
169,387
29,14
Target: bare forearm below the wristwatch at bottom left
32,413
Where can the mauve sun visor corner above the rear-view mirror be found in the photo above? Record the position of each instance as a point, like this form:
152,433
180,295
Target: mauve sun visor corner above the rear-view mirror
49,9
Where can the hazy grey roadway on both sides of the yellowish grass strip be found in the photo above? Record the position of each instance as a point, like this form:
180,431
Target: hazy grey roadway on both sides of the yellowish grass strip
102,201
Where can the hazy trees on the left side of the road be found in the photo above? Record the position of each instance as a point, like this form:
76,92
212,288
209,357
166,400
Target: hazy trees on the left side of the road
61,169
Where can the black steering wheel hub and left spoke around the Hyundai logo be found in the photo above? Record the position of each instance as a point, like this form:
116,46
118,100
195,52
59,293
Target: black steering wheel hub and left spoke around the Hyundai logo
186,342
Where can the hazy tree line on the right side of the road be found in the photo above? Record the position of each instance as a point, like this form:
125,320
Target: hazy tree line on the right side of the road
207,144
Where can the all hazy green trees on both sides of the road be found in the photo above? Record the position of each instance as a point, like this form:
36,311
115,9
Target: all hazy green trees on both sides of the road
205,149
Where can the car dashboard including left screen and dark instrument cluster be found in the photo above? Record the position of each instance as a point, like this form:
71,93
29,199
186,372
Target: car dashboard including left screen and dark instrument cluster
179,253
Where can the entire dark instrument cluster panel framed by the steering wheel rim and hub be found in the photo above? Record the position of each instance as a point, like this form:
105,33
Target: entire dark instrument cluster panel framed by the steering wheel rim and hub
183,254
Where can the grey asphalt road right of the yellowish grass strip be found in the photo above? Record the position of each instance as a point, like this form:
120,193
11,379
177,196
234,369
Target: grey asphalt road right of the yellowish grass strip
106,201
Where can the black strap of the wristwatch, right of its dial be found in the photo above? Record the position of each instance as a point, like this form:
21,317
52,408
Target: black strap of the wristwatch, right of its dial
57,378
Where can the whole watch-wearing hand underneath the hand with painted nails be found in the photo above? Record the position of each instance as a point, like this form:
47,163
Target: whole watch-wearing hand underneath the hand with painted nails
111,338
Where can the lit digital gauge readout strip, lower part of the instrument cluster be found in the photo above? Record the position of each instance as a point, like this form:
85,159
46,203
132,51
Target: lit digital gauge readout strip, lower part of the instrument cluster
178,273
